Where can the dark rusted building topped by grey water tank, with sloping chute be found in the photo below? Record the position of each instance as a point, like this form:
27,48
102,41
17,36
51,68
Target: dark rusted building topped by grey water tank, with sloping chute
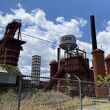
73,63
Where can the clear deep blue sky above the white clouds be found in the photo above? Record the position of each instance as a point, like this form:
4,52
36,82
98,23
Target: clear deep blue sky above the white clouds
67,9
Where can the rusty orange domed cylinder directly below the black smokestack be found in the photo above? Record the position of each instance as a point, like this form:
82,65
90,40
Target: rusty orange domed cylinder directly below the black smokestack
99,69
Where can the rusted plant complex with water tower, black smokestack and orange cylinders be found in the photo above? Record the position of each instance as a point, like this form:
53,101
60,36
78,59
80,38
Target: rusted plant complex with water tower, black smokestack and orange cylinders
75,63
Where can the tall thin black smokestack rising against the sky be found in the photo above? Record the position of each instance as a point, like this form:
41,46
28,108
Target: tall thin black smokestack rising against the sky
93,32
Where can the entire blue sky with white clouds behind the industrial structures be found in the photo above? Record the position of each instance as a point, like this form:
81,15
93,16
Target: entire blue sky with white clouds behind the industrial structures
49,20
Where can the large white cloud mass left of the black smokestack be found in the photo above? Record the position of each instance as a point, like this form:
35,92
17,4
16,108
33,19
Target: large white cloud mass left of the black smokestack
36,24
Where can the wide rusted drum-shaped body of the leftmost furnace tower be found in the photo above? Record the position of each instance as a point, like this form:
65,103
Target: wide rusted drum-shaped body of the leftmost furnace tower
9,53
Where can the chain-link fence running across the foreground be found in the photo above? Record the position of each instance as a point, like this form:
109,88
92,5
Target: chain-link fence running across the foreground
24,93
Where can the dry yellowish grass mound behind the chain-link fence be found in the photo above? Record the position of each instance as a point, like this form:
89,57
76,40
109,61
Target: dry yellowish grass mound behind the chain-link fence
41,101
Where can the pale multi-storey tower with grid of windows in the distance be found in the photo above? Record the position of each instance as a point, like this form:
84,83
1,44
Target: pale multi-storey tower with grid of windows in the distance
35,71
